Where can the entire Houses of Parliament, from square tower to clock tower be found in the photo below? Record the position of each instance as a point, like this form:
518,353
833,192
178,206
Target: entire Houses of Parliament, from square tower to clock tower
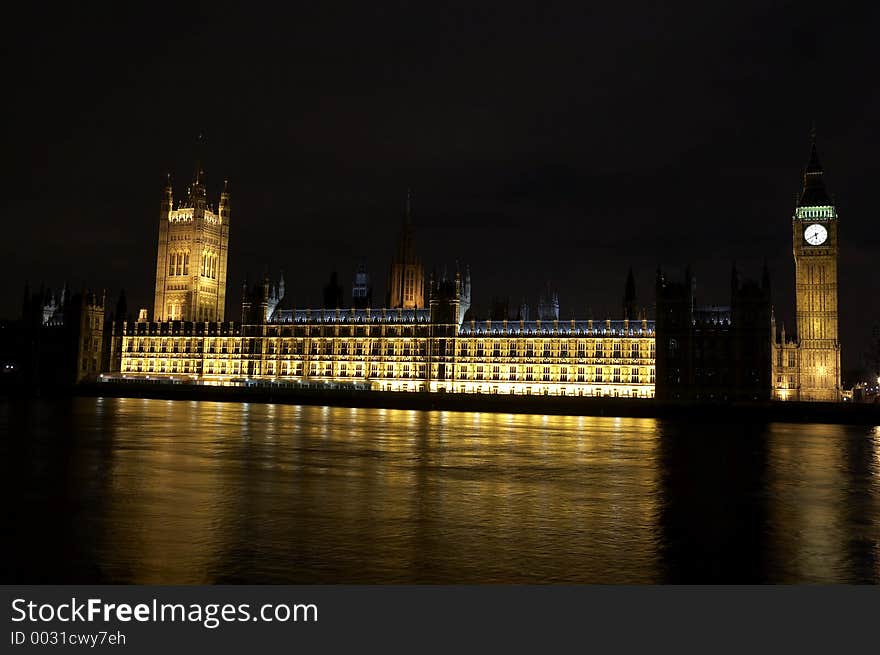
425,338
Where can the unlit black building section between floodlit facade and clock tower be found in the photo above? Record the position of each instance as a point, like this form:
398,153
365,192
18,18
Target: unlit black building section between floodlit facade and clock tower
713,353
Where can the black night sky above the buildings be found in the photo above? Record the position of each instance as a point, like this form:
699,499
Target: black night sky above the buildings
560,141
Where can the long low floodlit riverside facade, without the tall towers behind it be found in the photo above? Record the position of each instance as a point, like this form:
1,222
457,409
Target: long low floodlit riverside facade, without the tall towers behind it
401,350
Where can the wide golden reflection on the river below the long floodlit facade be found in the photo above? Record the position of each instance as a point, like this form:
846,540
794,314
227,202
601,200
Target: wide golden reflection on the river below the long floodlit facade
221,491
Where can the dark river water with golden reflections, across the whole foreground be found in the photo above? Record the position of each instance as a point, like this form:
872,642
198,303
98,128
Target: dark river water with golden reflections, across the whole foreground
177,492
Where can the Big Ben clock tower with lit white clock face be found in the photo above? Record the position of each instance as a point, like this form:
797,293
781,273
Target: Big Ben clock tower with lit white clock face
814,234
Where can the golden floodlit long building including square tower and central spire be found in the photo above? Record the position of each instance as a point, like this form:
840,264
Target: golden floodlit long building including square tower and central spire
412,345
